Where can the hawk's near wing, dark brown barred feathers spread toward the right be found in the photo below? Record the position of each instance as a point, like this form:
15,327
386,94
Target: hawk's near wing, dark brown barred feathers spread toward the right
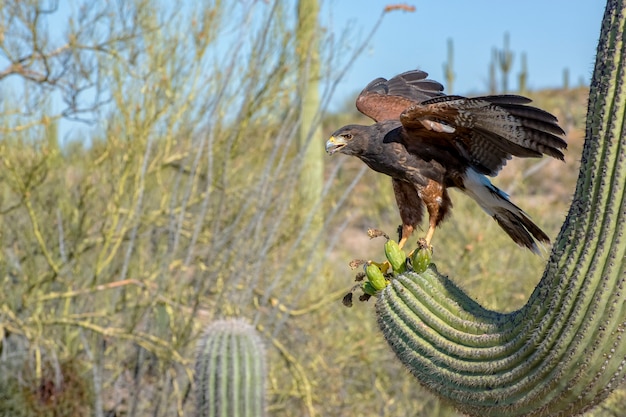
487,131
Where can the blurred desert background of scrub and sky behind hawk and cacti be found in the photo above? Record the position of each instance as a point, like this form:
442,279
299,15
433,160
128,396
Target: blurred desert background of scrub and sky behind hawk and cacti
162,167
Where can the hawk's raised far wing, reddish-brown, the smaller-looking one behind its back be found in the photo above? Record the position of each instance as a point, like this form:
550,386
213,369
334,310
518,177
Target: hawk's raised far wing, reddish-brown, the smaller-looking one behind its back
384,99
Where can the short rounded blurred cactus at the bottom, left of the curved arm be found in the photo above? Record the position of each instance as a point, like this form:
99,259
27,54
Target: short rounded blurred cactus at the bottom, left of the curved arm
230,371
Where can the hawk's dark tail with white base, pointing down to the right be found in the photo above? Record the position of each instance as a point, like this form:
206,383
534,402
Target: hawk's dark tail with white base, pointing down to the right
511,218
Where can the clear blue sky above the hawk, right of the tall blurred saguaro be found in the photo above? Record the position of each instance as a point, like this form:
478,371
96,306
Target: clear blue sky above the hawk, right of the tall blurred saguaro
554,34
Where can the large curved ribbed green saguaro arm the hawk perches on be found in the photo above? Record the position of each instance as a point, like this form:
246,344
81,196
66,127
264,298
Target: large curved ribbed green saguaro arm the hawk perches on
565,350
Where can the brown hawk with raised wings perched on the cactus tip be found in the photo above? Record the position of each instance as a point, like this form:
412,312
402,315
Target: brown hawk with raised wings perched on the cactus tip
427,141
